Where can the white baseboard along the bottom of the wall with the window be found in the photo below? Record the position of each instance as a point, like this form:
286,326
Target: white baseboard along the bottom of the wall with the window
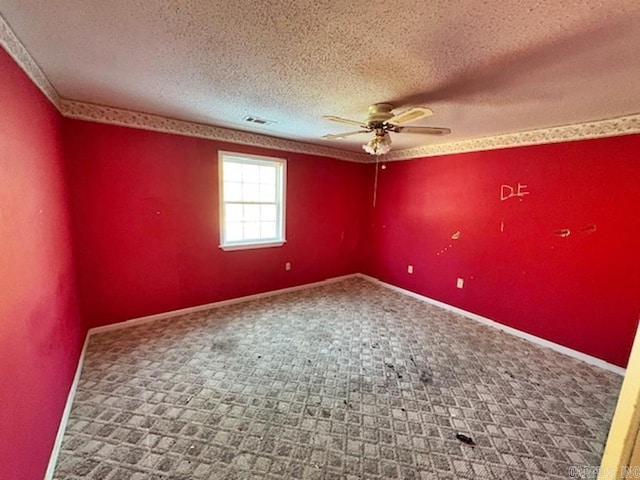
152,318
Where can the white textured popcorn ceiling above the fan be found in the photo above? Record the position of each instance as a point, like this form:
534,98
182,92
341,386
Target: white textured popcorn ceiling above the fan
484,67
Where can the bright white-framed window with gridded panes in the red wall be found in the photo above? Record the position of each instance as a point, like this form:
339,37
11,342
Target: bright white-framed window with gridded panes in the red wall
251,201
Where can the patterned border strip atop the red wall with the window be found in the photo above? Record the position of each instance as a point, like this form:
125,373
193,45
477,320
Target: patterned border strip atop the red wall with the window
145,121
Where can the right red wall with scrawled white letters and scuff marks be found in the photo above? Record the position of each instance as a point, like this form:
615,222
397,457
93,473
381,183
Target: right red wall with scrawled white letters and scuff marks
581,291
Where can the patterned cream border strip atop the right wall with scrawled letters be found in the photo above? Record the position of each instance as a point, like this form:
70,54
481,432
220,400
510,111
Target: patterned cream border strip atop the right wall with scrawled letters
582,131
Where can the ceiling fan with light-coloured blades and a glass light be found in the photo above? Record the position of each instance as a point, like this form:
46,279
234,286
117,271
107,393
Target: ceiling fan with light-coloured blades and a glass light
381,121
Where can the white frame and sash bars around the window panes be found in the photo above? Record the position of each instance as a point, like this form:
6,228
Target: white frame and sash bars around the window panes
281,168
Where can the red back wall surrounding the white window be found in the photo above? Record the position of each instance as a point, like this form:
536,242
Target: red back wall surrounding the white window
145,211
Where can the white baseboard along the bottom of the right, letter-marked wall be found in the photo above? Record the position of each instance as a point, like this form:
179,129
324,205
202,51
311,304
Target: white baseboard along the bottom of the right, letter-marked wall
491,323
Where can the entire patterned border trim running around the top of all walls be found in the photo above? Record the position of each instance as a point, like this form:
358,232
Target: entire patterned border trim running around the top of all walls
625,125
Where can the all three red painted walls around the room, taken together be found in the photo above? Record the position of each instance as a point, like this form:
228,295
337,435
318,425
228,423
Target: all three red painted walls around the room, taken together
142,209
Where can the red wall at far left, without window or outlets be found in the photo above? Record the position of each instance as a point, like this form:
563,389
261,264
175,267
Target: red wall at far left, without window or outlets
40,330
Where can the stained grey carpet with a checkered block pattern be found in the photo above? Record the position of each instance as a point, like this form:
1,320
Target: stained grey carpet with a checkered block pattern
349,380
